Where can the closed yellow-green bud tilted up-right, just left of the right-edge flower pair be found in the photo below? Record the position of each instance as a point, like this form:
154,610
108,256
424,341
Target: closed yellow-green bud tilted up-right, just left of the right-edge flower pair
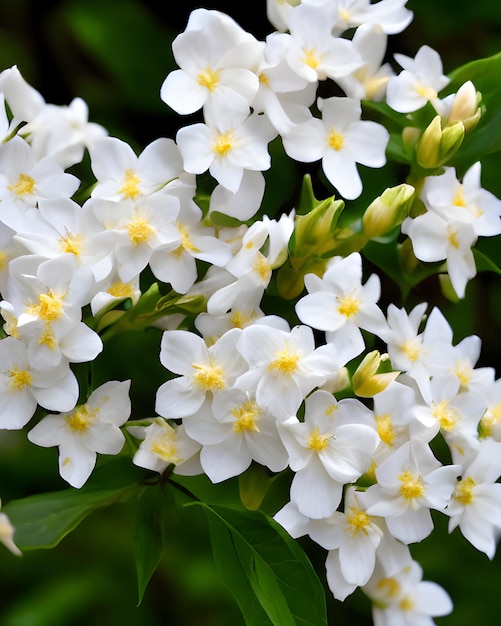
388,210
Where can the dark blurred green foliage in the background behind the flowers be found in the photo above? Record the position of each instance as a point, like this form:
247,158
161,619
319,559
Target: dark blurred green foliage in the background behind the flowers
115,54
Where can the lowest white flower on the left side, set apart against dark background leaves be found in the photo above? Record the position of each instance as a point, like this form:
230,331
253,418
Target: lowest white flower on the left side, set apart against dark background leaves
90,428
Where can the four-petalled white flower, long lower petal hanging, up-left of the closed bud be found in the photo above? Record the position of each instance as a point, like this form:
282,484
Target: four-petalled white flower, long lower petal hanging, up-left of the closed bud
341,139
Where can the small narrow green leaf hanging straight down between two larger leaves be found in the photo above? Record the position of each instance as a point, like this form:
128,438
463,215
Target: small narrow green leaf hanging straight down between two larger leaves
148,537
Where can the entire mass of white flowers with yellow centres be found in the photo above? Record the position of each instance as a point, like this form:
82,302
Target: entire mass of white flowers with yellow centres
244,386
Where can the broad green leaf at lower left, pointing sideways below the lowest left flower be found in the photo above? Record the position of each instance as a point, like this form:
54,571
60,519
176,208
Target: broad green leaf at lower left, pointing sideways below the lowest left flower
42,520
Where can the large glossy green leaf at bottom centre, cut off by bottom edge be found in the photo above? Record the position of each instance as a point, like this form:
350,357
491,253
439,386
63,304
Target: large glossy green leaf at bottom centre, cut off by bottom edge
267,572
